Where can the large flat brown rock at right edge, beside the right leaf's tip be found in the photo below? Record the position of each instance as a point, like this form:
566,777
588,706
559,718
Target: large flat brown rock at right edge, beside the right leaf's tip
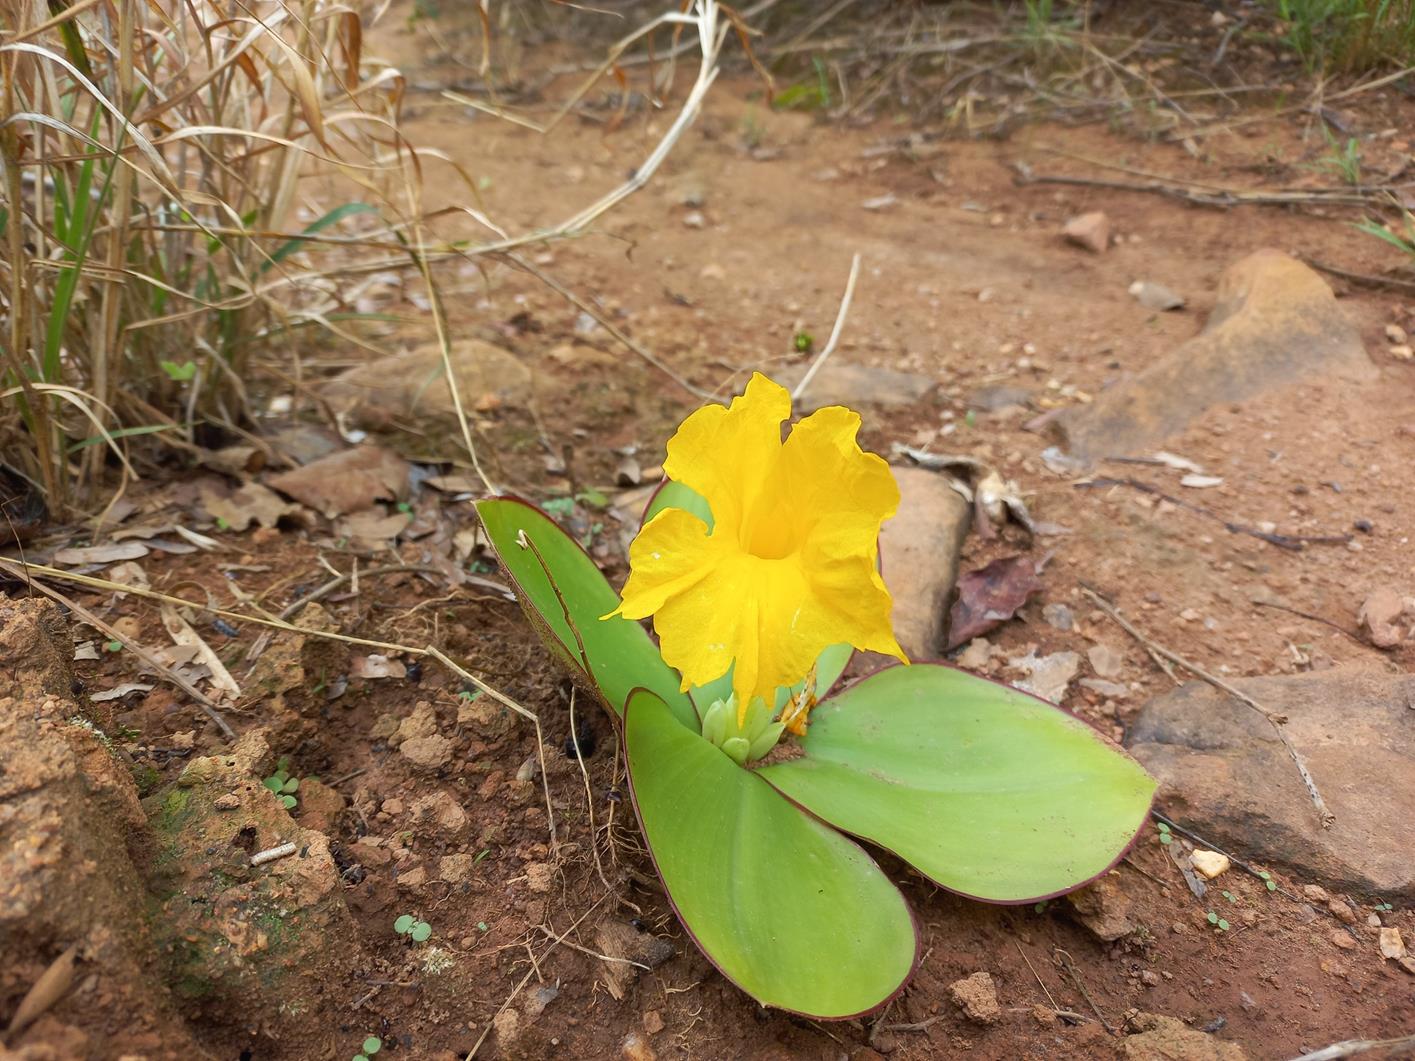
1225,773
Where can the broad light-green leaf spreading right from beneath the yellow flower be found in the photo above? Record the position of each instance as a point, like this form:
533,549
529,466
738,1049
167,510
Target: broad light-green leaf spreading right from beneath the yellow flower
988,792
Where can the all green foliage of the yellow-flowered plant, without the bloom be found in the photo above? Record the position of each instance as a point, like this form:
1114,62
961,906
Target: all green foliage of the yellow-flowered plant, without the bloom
986,790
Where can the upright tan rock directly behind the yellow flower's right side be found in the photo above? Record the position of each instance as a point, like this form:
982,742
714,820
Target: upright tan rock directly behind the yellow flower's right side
919,558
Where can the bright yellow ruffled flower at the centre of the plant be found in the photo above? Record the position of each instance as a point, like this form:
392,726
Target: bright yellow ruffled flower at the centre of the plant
789,567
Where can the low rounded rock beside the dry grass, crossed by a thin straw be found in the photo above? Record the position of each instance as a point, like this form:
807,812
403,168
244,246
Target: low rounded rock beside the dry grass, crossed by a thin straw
412,387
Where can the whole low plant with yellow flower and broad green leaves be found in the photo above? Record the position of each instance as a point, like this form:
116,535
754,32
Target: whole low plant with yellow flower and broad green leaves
758,564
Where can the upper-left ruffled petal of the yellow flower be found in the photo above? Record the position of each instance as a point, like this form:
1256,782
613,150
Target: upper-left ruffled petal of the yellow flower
727,453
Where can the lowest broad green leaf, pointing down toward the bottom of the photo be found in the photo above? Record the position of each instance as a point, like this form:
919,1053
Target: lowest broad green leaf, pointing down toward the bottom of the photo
787,909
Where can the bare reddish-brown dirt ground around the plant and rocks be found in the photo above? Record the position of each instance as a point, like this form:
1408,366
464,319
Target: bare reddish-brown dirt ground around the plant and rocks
742,241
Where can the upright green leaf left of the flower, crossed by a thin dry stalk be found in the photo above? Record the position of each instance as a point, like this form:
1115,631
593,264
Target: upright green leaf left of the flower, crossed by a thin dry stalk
616,656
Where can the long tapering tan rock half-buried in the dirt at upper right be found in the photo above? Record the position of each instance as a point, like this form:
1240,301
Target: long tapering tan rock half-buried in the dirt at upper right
1276,323
